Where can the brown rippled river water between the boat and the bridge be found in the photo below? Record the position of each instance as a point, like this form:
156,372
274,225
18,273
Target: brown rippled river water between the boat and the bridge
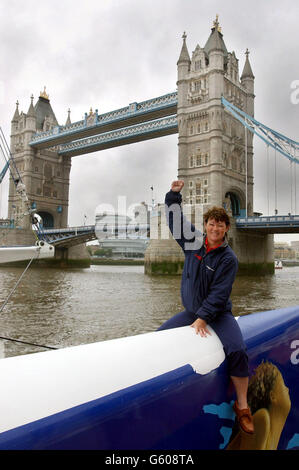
63,308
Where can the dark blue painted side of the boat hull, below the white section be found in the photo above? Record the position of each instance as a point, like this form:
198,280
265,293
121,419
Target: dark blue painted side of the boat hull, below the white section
180,409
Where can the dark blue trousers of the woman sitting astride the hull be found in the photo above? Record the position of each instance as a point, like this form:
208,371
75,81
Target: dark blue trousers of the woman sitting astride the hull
229,333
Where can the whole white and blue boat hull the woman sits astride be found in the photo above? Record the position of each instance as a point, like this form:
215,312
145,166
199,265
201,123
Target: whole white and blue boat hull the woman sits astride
160,390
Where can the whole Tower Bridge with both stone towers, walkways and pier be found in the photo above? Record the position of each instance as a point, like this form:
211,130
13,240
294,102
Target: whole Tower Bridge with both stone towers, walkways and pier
213,113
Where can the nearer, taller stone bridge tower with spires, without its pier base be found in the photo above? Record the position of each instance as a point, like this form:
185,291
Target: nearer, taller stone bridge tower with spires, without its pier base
212,141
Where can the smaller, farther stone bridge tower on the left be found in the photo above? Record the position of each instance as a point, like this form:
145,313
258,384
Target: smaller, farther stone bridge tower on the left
44,173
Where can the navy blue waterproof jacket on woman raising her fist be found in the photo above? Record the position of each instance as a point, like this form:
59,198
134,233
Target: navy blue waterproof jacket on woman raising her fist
207,278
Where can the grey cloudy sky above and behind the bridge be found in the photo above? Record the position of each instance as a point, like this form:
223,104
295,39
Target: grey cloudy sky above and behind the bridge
106,54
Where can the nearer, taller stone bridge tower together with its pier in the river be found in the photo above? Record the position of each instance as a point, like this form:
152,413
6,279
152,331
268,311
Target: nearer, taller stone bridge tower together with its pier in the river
213,152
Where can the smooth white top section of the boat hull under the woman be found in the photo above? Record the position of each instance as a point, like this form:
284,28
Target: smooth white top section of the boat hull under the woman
41,384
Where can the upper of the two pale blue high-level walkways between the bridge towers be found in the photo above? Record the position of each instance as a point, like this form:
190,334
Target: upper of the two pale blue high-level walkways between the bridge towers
95,124
